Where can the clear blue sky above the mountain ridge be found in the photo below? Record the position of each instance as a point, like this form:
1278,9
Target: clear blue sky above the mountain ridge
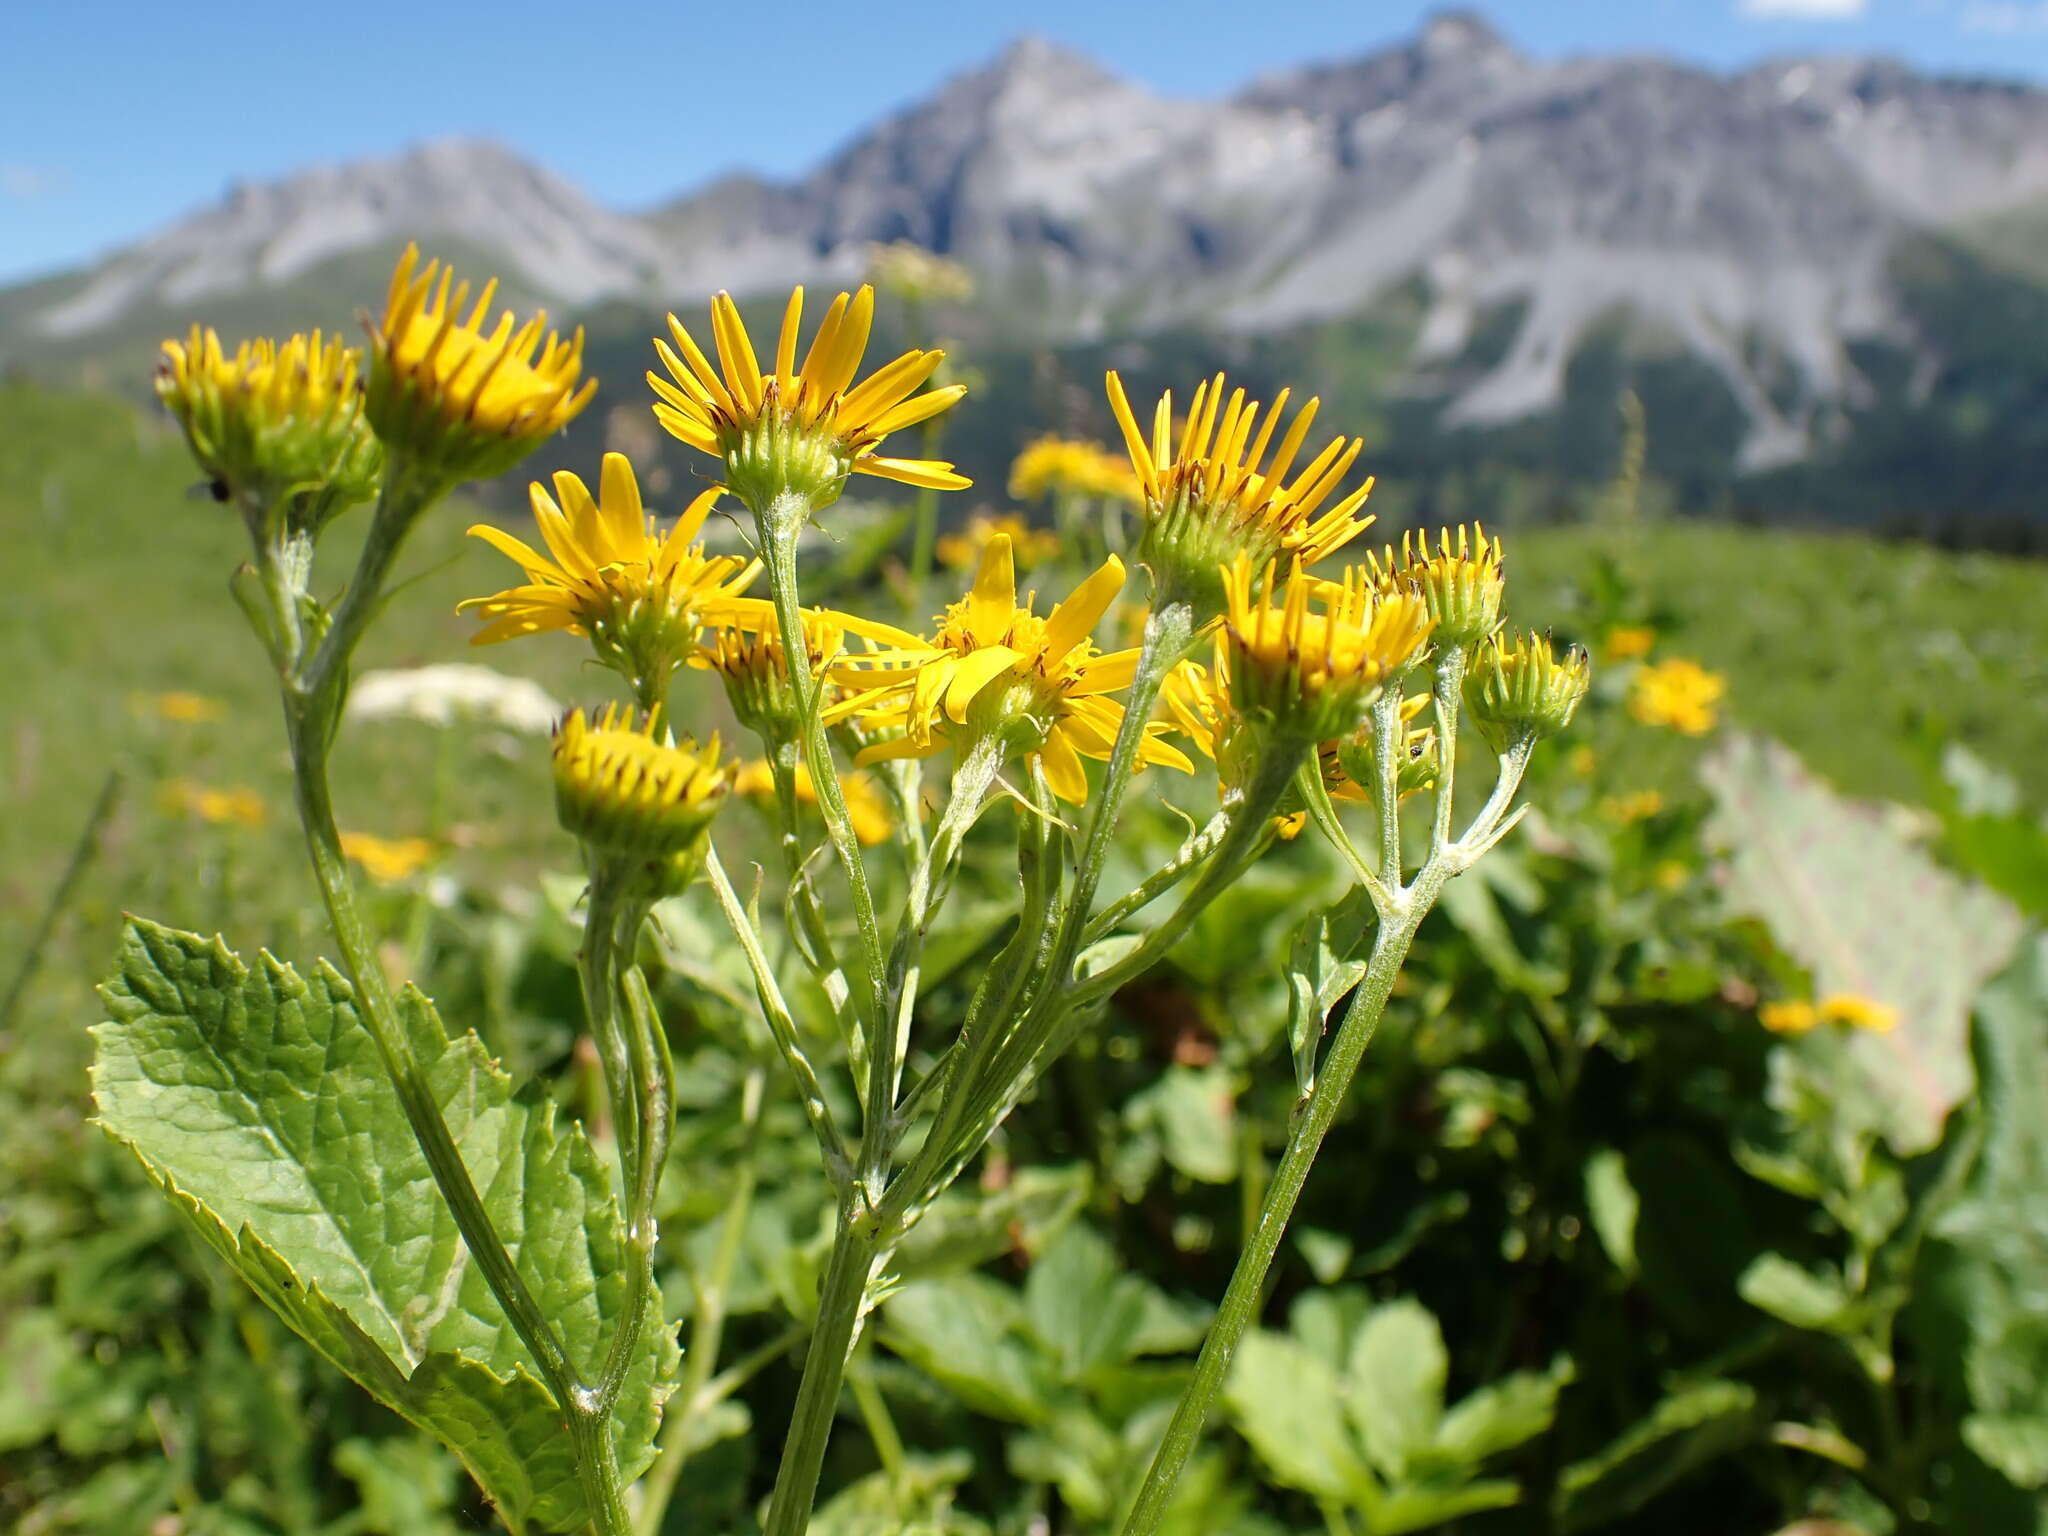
118,118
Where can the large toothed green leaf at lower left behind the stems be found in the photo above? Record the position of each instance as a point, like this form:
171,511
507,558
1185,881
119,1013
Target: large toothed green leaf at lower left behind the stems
255,1099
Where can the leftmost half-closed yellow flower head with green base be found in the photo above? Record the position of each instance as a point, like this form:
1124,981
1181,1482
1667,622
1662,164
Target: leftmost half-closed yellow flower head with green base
275,425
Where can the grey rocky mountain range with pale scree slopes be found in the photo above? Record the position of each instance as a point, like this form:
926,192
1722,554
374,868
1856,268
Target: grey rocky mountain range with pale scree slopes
1748,222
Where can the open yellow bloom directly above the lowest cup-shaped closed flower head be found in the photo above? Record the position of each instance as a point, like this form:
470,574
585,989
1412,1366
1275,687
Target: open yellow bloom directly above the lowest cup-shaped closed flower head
638,595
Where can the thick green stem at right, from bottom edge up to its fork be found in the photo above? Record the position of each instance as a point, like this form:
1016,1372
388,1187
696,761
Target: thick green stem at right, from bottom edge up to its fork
1248,1281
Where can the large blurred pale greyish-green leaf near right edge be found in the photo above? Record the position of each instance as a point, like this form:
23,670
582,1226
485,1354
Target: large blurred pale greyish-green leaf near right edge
1867,914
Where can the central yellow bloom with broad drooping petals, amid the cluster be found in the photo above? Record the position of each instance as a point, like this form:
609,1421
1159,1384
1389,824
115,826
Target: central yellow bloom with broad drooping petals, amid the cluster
998,669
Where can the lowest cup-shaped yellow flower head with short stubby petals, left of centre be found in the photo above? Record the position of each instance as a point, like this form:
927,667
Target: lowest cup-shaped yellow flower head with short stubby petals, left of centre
626,790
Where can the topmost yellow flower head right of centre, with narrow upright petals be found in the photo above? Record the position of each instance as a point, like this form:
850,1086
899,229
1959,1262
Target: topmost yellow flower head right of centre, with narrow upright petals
1215,497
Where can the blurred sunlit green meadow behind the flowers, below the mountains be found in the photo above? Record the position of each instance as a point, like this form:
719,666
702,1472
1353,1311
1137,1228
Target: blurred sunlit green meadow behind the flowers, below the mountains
118,595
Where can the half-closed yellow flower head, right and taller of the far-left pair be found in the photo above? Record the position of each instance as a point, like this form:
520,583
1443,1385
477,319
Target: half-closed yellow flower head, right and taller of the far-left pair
460,400
